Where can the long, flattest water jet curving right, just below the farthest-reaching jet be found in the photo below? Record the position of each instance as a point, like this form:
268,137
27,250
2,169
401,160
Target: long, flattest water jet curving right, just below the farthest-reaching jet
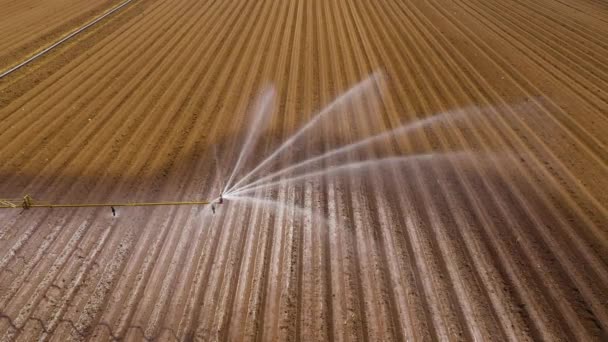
358,166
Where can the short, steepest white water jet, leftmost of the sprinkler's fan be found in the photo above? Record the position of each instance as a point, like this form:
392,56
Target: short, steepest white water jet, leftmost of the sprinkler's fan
262,114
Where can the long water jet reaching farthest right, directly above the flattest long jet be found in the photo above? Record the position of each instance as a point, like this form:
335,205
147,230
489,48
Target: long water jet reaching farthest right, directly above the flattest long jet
356,145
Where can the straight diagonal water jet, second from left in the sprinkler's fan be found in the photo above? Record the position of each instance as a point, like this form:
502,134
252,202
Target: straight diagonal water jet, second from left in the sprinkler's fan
356,89
